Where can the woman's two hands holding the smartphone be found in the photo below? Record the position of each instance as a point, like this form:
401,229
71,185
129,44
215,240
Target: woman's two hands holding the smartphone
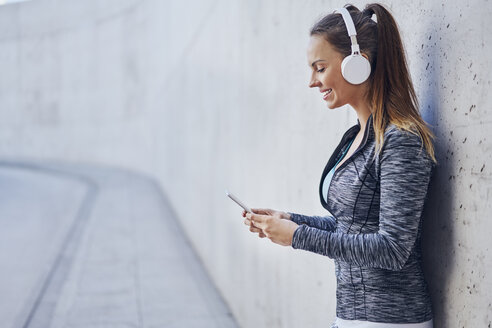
272,224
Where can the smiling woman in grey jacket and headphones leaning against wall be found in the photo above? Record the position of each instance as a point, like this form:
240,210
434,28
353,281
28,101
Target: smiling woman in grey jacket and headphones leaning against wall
376,181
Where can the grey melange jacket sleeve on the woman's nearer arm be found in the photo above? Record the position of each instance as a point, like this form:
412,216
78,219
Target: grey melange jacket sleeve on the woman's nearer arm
405,171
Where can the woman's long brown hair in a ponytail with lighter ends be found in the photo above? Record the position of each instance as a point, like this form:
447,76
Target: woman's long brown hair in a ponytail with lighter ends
391,93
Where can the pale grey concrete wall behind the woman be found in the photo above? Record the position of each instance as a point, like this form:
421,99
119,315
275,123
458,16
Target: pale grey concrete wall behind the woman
209,95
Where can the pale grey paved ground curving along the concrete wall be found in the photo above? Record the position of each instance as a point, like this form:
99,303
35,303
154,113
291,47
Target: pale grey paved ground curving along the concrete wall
84,246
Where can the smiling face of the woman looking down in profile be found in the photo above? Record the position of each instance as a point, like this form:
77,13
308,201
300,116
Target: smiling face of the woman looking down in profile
326,75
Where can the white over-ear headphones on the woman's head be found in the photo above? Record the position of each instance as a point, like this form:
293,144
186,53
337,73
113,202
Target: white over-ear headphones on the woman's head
355,67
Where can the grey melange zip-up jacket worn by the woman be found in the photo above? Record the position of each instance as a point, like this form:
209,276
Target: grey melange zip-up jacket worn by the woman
374,233
